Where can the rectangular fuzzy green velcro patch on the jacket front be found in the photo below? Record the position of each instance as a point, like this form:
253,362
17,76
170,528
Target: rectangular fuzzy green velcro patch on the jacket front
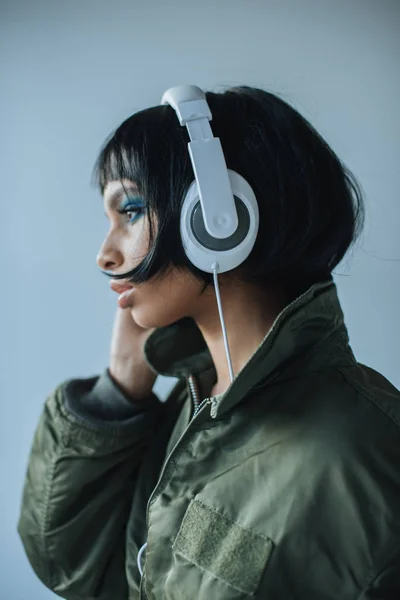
217,544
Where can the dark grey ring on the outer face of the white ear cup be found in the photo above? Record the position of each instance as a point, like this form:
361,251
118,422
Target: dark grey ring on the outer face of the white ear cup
211,243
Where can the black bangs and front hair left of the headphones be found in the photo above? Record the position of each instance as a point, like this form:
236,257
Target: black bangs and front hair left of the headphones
150,149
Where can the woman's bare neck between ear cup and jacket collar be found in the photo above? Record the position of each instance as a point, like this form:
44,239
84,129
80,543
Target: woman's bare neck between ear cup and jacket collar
248,314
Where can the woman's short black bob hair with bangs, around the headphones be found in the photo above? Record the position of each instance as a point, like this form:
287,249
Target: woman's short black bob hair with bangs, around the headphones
311,206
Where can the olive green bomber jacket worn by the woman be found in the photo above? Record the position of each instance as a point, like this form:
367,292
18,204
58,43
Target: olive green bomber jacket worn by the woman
285,487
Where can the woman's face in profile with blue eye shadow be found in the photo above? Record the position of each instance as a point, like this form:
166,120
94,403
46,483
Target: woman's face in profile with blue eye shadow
153,303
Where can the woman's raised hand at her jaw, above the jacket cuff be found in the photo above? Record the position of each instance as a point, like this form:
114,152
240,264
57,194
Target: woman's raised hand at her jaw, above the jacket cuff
128,366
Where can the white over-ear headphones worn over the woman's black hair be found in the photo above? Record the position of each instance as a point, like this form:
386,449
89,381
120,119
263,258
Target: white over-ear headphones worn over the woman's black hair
219,219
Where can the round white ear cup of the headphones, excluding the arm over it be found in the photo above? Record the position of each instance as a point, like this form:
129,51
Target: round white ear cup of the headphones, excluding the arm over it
201,248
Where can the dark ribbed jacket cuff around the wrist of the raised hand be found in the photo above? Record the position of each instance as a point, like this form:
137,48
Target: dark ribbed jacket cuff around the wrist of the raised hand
99,399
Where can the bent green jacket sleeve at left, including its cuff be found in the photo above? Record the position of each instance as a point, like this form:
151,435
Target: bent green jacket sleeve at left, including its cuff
79,486
